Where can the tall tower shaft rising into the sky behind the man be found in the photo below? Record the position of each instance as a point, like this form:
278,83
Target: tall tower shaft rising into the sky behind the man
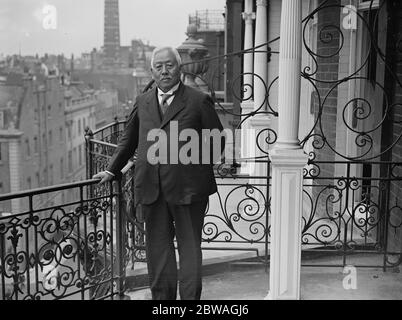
112,32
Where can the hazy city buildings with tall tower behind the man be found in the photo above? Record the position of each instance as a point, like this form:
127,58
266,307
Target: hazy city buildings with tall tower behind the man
48,102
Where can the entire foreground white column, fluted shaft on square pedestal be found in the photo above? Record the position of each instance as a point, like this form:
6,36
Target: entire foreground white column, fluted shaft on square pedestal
288,160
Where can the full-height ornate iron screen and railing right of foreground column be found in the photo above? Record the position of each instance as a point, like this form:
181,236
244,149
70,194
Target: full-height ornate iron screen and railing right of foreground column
349,201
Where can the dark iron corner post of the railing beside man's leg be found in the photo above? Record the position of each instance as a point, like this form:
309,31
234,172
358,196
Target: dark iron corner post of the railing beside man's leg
120,238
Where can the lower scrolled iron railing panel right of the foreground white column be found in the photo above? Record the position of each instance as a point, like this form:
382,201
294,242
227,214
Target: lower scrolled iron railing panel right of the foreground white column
350,214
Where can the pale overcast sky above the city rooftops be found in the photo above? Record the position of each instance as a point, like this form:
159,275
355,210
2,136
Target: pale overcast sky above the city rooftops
80,24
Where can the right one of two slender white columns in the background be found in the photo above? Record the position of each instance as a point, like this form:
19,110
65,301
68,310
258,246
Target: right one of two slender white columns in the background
261,57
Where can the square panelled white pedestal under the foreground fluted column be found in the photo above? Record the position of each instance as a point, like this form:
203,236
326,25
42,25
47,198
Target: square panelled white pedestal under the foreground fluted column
286,217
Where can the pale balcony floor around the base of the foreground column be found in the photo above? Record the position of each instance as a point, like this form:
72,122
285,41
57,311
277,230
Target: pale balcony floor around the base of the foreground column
236,281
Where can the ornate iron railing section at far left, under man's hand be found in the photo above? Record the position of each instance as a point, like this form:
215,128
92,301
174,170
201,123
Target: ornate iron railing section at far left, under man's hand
59,251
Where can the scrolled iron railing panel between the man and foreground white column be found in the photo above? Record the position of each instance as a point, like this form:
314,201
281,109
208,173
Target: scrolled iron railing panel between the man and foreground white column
239,212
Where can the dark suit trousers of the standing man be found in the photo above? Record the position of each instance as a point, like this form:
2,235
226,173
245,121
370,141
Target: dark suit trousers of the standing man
164,221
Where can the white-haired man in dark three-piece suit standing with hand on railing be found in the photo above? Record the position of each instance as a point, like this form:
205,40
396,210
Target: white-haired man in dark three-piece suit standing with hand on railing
173,195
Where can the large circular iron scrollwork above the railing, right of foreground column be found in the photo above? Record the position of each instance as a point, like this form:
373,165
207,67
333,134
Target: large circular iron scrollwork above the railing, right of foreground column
357,111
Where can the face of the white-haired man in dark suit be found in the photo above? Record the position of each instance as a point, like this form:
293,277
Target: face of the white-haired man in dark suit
165,70
